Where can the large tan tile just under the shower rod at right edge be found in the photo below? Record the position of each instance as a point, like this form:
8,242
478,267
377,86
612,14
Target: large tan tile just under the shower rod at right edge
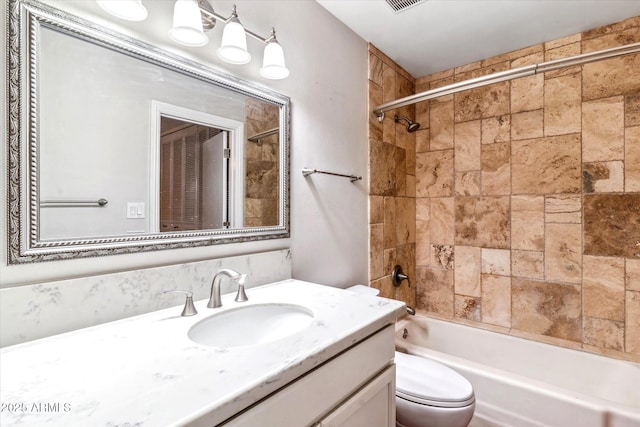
612,77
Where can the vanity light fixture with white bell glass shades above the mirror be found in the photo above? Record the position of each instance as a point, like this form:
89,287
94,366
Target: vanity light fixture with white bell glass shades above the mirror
189,28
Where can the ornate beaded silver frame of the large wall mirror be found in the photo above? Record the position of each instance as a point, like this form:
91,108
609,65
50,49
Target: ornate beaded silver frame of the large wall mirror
25,18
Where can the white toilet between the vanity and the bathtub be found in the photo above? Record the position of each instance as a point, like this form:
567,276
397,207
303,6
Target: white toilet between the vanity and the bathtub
428,393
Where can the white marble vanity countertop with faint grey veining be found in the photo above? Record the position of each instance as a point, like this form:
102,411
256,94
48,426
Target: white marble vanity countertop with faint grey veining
144,370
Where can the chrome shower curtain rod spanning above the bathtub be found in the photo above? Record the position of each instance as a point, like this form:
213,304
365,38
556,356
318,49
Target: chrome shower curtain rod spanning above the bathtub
527,70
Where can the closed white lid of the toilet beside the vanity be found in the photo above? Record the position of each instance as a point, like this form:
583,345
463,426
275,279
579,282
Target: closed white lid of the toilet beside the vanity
427,382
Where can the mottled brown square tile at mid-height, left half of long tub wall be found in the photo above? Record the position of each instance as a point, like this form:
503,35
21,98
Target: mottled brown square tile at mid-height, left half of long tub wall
483,221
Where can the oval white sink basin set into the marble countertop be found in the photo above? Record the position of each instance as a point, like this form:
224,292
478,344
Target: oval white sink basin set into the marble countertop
251,325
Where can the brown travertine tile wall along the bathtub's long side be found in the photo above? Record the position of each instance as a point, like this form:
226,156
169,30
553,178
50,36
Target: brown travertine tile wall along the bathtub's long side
528,196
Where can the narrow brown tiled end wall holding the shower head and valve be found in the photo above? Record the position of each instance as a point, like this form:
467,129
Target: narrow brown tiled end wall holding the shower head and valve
392,181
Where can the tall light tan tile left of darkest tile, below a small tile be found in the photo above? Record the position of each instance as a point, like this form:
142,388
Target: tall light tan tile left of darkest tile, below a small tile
563,252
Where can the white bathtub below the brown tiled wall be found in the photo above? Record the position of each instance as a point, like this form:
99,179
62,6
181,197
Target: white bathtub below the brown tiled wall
525,383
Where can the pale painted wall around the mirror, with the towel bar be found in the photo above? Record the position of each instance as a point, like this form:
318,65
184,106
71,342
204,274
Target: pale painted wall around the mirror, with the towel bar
328,89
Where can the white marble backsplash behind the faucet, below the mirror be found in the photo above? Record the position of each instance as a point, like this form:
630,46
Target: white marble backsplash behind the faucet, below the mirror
37,311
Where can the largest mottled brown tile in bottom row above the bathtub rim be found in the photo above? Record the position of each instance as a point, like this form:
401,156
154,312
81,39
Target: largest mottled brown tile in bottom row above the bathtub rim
546,308
